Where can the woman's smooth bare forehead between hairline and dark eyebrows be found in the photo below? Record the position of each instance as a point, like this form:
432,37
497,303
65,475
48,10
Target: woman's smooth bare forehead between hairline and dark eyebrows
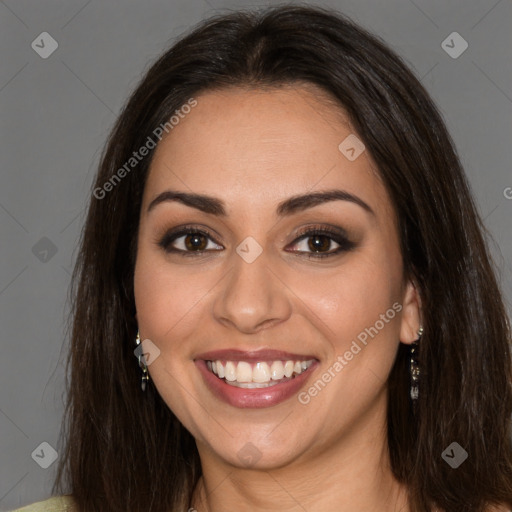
259,146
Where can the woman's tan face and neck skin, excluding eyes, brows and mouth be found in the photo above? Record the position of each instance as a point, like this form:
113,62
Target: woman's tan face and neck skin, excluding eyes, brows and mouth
253,149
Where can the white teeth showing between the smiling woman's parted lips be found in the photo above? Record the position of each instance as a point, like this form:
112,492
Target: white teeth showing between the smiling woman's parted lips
261,374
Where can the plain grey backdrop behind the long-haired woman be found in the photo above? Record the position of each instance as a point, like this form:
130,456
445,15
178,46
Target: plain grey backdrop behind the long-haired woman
56,114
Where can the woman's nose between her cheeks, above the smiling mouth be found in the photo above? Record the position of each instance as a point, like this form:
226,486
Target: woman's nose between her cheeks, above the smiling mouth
252,297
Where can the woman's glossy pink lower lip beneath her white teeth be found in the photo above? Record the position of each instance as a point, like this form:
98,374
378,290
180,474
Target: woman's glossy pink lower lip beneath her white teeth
253,398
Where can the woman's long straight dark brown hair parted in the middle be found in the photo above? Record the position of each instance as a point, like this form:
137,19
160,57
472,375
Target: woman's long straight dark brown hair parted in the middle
125,450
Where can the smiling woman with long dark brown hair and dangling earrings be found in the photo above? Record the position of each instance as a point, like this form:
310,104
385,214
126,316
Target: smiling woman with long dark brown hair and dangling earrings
283,298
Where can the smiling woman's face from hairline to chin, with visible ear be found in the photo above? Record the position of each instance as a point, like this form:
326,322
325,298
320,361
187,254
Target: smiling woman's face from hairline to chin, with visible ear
271,278
